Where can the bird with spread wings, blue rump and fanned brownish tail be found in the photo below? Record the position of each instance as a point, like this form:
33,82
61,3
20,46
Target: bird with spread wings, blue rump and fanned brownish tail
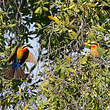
19,55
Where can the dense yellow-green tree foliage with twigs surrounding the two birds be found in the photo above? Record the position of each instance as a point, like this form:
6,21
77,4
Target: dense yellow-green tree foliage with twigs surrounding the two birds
72,79
